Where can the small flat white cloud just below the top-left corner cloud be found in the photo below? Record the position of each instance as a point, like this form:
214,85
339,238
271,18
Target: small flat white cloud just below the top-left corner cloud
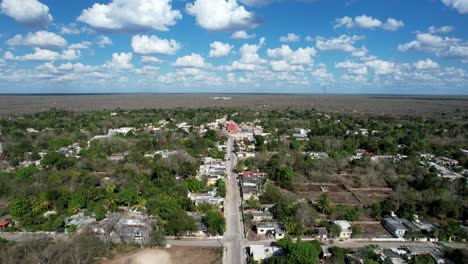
40,39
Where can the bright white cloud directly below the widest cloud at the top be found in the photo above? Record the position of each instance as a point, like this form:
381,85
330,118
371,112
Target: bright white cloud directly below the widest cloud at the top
143,44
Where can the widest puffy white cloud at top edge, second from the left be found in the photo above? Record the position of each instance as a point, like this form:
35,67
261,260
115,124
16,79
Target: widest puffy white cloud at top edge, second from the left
131,16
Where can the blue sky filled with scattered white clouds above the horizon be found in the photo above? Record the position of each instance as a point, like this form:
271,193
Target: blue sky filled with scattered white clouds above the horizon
229,46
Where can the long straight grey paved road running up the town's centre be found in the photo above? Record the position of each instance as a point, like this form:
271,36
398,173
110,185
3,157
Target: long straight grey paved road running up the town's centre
233,235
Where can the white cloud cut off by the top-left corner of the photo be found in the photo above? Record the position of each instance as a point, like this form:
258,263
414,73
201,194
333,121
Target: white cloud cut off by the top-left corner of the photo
30,13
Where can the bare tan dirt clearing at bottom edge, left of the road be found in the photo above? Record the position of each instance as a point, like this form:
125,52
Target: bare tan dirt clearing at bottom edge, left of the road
174,255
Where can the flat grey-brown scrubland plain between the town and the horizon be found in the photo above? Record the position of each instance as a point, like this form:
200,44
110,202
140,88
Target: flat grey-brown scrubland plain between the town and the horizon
384,105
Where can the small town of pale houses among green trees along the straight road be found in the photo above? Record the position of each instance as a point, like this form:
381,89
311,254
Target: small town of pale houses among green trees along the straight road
230,190
